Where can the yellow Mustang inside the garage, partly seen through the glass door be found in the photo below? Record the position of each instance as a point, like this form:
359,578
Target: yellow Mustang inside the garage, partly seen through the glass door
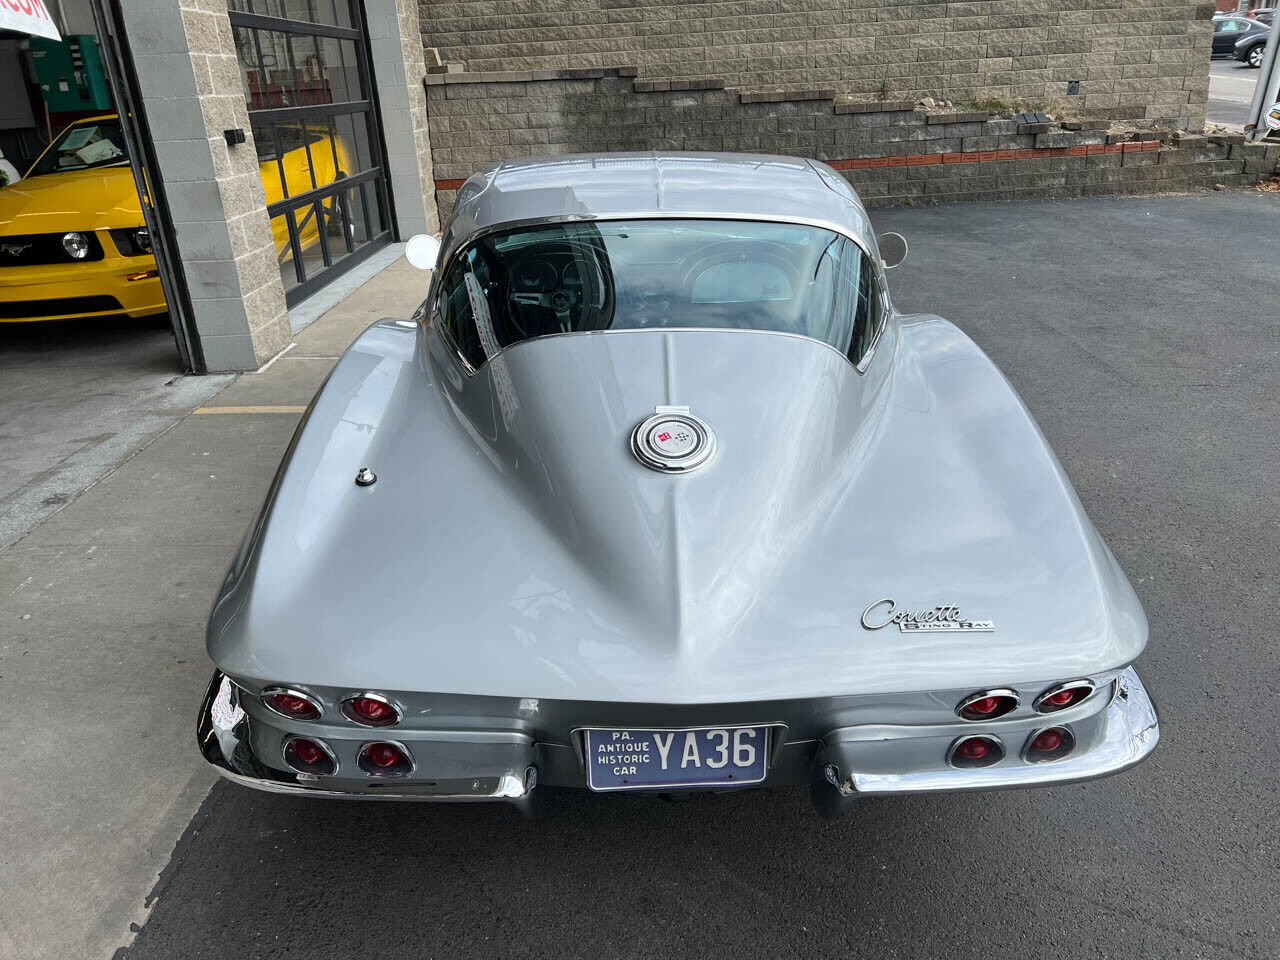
72,235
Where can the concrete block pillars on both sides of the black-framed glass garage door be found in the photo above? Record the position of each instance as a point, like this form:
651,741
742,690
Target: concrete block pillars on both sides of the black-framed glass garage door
193,90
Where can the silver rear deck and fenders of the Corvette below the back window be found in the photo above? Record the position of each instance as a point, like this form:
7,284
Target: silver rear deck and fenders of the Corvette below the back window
514,547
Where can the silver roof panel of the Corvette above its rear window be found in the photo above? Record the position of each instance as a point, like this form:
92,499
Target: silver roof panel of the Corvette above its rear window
656,185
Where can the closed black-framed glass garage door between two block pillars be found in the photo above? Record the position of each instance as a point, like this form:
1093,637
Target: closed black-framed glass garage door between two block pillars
308,84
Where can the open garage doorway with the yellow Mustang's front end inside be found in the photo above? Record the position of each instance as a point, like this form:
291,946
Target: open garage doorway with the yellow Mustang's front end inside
85,248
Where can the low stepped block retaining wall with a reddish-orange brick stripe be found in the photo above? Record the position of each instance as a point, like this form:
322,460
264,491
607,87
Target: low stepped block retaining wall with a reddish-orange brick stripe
892,152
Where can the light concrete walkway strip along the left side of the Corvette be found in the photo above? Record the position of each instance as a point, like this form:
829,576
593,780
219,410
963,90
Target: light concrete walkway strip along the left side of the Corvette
102,648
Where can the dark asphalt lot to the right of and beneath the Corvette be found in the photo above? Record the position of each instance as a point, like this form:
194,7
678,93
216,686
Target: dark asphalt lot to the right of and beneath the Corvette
1145,336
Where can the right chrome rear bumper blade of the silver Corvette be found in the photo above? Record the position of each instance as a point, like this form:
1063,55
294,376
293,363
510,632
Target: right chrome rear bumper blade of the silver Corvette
1132,734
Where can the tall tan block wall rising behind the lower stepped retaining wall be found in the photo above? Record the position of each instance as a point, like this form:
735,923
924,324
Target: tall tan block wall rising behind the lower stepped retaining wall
1154,52
